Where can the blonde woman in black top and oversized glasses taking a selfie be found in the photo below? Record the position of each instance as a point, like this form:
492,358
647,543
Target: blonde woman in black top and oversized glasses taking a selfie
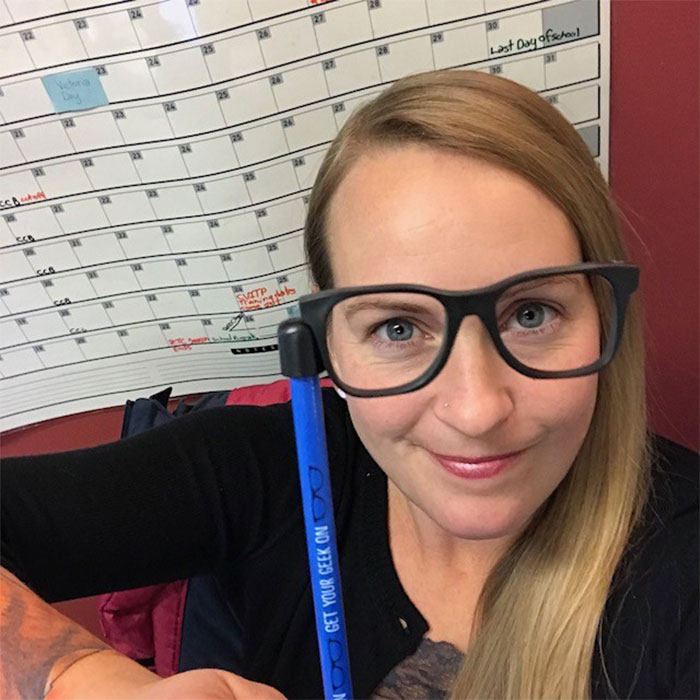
539,571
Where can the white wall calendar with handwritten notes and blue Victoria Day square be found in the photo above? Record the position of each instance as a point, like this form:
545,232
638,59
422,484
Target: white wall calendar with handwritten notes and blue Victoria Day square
156,157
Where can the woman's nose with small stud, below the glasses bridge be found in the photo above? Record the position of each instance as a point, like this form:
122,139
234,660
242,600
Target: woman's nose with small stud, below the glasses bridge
474,390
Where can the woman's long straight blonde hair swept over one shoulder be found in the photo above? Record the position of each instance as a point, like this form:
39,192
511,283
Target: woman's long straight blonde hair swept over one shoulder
539,614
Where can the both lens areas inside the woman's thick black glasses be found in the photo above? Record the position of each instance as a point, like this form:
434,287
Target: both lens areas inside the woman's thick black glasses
553,323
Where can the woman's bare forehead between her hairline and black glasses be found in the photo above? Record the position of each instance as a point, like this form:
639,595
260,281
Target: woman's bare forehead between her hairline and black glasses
428,216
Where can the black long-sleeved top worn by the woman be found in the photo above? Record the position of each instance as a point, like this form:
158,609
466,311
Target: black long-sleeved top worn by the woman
218,491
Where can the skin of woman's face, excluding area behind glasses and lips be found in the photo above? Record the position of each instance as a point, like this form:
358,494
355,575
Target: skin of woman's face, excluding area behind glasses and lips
424,216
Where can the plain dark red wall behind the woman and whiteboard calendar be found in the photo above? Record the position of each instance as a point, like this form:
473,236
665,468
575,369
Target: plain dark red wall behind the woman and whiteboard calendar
654,177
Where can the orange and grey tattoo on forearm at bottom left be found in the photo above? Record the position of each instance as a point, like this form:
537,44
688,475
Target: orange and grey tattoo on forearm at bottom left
35,637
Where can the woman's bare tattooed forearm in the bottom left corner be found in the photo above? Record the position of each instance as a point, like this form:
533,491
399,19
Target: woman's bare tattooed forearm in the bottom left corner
41,649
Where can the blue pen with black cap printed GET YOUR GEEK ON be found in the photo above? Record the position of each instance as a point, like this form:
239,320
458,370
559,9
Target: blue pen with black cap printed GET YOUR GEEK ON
301,363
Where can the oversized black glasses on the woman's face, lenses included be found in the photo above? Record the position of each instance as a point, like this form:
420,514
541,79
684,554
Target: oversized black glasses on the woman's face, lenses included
548,323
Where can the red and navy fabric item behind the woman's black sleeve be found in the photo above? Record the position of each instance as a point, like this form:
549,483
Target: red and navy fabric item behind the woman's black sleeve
187,624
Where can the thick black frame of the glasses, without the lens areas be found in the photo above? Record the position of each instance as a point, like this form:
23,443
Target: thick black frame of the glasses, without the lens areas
623,278
